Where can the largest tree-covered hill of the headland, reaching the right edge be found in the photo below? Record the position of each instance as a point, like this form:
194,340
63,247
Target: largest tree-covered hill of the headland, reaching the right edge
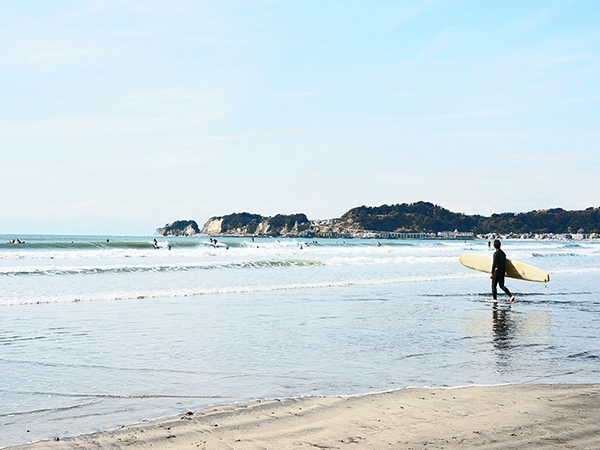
427,217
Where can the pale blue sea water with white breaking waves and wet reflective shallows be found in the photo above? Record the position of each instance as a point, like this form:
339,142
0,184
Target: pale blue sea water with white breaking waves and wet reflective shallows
102,331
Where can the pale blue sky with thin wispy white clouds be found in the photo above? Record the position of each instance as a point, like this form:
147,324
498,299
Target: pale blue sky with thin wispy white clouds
119,116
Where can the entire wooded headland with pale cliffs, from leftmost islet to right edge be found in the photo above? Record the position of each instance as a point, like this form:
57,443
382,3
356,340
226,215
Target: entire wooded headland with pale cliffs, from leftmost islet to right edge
419,217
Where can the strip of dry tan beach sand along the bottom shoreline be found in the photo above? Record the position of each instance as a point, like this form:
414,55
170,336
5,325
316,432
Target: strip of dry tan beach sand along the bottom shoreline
494,417
